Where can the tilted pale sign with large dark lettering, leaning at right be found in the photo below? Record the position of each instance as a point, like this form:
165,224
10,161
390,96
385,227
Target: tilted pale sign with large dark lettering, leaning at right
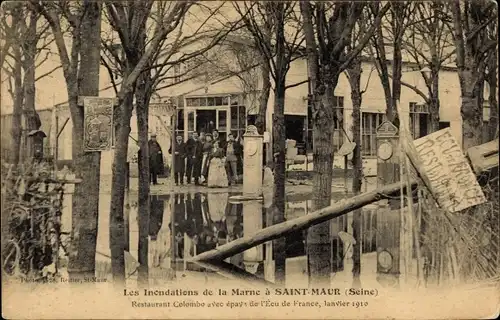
451,177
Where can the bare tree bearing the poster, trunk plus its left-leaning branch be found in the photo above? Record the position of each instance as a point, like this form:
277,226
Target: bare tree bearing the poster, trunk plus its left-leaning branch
80,66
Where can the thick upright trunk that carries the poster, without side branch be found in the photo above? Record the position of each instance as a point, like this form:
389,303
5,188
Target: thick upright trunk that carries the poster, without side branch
85,210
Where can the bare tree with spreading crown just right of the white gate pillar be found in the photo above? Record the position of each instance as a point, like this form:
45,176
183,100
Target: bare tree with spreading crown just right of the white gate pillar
269,24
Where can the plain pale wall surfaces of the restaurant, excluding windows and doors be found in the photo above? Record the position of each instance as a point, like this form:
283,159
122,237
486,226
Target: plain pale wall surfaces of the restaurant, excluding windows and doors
373,101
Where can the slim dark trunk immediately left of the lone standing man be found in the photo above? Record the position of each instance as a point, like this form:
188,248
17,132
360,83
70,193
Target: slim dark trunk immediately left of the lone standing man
143,211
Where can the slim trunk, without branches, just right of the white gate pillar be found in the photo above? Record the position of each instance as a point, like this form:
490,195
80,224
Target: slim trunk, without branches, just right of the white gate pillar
278,212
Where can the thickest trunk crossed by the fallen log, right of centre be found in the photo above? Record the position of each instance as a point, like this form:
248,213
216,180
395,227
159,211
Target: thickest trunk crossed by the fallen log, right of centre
318,237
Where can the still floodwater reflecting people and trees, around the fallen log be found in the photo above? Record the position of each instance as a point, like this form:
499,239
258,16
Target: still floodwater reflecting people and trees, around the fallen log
185,224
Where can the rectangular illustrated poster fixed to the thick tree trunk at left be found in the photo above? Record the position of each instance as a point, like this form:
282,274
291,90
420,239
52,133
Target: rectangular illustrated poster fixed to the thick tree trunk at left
98,123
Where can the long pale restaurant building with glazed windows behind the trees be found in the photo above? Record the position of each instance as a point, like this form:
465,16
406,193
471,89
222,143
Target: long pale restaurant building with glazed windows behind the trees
226,105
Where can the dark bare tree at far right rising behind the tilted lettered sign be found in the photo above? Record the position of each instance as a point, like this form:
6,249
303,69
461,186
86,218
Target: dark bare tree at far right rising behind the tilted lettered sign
471,20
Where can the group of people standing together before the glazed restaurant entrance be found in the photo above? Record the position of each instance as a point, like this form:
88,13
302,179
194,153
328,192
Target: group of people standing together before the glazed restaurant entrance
205,157
